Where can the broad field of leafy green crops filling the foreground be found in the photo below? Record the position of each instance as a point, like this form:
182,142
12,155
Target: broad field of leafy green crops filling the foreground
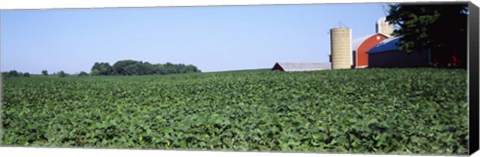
401,111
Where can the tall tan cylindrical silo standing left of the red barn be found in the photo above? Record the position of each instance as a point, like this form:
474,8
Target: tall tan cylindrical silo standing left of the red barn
341,48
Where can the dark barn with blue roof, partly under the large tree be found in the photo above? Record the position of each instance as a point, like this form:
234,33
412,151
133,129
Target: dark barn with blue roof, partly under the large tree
388,54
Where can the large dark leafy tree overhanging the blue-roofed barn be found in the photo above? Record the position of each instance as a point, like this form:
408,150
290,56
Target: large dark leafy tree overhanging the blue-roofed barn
439,27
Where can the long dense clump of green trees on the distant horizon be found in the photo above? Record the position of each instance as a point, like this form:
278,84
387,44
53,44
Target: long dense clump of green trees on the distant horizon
132,67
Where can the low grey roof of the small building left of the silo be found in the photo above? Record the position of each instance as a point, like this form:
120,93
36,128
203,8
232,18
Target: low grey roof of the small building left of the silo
292,66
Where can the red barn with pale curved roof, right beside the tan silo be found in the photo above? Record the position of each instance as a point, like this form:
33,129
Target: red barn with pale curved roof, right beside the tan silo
361,46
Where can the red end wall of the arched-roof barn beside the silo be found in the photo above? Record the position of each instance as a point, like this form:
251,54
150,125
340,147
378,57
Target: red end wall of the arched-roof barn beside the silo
369,43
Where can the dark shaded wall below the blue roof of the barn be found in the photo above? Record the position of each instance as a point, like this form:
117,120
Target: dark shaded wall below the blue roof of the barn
399,59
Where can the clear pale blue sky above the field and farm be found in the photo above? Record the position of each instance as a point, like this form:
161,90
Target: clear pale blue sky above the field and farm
215,38
